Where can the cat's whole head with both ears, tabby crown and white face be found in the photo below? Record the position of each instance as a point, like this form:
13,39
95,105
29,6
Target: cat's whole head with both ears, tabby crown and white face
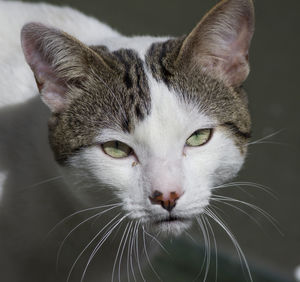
158,131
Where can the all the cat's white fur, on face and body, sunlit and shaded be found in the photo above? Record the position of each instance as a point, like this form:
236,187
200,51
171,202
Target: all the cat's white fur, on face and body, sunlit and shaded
34,197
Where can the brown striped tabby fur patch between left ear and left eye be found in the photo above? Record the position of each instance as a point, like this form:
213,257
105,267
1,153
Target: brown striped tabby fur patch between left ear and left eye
102,98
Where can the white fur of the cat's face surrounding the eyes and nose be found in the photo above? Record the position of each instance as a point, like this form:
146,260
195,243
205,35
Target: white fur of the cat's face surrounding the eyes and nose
162,161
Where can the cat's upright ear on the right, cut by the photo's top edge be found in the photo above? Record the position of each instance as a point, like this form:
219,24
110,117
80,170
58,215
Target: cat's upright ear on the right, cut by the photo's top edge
219,44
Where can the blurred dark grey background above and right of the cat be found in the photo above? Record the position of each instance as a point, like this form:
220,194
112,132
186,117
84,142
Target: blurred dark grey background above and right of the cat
273,88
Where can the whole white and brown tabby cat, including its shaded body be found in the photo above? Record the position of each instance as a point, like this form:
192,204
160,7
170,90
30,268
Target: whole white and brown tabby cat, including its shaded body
140,130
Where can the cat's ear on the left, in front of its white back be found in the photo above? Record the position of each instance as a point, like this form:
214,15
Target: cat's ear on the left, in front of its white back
56,59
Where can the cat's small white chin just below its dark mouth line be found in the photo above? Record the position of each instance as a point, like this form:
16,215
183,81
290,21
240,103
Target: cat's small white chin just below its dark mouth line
172,225
